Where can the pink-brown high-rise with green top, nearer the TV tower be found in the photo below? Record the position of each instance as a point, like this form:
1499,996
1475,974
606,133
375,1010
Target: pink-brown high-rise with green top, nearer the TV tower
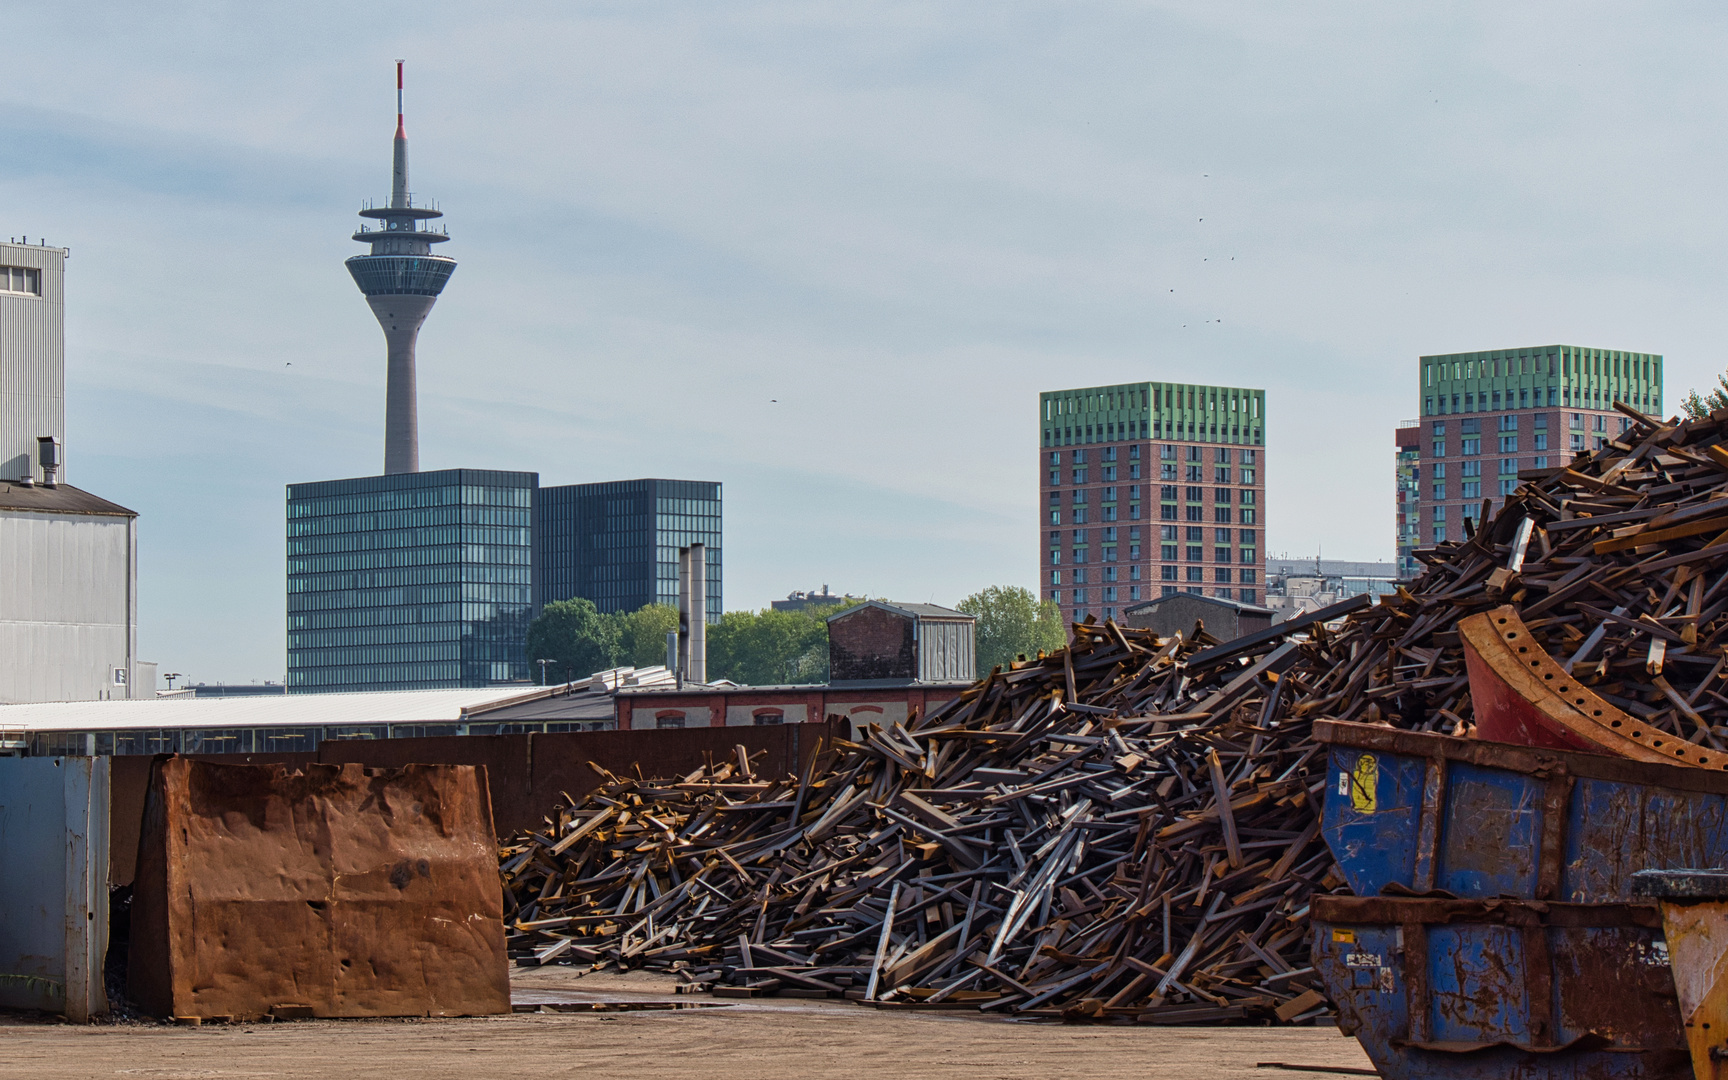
1150,490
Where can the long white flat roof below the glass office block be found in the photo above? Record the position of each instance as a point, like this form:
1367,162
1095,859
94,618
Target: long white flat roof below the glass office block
286,711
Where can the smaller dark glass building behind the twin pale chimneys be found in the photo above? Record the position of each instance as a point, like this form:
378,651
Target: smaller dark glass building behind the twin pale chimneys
618,543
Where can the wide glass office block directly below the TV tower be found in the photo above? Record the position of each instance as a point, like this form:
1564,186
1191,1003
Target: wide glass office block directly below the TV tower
410,581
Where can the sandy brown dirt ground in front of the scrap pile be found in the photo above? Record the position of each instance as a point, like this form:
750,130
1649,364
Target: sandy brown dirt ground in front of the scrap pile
773,1039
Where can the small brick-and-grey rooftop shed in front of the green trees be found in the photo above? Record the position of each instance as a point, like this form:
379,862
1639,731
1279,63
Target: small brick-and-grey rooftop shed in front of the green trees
901,642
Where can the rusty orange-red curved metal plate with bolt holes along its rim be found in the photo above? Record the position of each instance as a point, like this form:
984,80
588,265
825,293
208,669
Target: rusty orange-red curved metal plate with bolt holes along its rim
1522,696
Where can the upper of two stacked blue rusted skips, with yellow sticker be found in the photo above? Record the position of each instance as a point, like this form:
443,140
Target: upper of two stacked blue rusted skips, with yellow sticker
1414,813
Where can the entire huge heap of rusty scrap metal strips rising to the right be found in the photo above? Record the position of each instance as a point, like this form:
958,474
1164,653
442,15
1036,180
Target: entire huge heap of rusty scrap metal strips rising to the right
1129,829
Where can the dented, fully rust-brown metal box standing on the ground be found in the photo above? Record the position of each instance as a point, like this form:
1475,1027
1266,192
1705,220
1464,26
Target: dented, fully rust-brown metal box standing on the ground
334,891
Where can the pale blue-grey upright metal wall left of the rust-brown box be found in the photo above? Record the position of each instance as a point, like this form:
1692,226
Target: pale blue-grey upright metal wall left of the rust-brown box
54,842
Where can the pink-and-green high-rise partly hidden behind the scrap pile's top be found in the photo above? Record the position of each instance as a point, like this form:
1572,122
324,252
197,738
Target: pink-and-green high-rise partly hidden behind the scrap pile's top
1490,416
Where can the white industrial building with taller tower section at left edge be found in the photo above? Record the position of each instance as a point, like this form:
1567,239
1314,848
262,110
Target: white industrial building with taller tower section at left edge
68,559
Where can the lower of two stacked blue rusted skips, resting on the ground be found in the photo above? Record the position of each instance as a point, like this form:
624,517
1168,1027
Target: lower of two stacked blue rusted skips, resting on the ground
1494,989
